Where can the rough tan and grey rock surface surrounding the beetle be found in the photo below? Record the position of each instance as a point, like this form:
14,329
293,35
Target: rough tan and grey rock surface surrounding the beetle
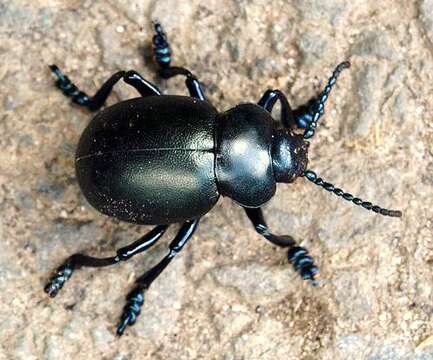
230,294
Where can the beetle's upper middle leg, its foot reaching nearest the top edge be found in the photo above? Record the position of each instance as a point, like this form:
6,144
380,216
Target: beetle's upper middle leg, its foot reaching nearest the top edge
162,54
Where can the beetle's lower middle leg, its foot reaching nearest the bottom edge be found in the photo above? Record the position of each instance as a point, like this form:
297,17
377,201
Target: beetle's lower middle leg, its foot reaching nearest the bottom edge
135,298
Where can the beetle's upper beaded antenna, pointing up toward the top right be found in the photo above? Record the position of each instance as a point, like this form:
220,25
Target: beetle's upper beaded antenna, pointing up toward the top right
317,107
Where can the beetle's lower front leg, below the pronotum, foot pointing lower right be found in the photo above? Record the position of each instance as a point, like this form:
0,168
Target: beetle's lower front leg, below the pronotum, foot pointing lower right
297,256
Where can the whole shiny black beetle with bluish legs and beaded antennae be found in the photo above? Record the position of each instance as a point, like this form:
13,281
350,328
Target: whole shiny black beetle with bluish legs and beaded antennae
163,159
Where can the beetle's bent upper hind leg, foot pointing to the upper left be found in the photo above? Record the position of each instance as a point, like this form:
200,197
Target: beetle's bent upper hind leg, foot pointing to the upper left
95,102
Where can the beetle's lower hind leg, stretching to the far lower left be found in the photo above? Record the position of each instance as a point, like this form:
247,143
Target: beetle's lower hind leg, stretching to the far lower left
76,261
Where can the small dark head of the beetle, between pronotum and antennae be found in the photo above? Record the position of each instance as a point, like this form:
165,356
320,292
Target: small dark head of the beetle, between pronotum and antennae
289,155
